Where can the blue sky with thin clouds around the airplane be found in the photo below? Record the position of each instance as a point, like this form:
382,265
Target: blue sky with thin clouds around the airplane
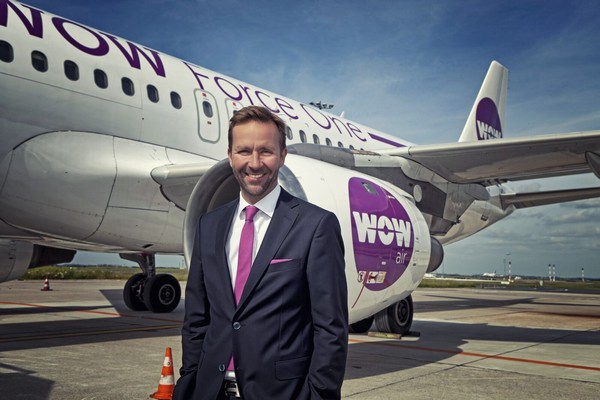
411,69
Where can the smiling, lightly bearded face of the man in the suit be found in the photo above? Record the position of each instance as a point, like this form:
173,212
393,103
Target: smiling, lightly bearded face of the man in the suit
255,157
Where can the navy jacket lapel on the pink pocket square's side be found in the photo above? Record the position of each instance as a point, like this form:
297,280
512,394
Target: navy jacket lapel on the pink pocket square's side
283,219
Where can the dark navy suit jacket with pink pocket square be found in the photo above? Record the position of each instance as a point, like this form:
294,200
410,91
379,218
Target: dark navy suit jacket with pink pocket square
289,333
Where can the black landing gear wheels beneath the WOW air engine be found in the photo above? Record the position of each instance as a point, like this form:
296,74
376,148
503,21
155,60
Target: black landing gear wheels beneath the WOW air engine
396,318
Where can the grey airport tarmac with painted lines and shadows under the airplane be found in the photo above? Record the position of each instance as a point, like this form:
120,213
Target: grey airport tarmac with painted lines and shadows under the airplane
79,341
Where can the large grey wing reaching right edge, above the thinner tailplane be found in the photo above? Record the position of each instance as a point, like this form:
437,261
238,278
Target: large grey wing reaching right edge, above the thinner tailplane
496,161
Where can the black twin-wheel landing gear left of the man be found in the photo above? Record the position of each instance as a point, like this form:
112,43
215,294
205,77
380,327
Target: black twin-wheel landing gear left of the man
147,290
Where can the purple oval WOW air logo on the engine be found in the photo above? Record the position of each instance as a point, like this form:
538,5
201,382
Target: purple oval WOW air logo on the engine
382,234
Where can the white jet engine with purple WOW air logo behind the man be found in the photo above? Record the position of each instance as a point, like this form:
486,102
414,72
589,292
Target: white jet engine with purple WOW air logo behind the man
388,248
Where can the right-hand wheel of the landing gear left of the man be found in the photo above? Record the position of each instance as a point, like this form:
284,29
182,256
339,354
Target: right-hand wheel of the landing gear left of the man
162,293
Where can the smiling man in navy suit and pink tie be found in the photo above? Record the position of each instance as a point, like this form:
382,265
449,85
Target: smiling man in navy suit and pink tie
284,333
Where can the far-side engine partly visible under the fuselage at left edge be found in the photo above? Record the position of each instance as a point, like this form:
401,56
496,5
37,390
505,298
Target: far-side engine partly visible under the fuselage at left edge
18,256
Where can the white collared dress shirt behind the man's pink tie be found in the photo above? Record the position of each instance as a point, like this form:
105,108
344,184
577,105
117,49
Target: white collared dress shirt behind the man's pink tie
262,219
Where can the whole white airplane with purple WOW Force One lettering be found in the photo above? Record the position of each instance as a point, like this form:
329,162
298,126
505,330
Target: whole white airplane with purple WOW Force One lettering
110,146
